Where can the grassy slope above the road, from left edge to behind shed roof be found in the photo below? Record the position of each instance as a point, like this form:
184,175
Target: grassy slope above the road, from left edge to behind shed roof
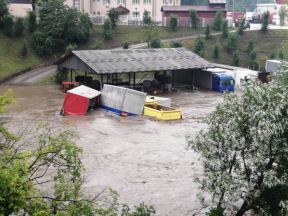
12,62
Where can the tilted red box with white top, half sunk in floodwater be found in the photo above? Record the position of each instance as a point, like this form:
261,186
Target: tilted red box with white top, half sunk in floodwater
80,99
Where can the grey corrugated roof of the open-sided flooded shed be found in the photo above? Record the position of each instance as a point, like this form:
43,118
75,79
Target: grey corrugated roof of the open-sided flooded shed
136,60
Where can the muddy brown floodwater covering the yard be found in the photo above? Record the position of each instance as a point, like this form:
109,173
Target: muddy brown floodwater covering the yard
140,158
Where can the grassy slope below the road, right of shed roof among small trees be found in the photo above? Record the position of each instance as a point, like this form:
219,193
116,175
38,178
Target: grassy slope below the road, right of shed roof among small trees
265,45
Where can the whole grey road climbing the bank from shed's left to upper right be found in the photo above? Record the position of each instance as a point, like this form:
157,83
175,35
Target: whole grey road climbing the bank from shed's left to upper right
38,74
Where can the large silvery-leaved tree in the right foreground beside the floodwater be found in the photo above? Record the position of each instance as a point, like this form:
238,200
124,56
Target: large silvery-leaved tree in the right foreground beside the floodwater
244,150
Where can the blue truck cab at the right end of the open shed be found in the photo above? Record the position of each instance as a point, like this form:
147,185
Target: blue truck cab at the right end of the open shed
222,82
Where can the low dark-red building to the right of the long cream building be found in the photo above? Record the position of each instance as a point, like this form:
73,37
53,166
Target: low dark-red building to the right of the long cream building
206,13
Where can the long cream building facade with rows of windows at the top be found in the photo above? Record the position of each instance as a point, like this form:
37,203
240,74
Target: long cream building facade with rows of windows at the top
133,9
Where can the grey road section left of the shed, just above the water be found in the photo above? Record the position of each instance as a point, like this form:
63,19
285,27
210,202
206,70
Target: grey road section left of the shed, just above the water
33,76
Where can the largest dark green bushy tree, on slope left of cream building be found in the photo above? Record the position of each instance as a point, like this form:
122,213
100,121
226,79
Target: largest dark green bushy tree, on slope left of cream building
59,26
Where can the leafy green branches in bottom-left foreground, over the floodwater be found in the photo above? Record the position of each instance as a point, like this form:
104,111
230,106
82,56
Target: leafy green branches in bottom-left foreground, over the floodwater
48,159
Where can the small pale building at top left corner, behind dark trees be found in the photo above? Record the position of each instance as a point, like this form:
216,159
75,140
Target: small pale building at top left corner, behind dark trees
19,8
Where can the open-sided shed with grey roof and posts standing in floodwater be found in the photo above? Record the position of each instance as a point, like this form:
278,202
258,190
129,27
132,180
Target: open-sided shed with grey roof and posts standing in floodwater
109,65
